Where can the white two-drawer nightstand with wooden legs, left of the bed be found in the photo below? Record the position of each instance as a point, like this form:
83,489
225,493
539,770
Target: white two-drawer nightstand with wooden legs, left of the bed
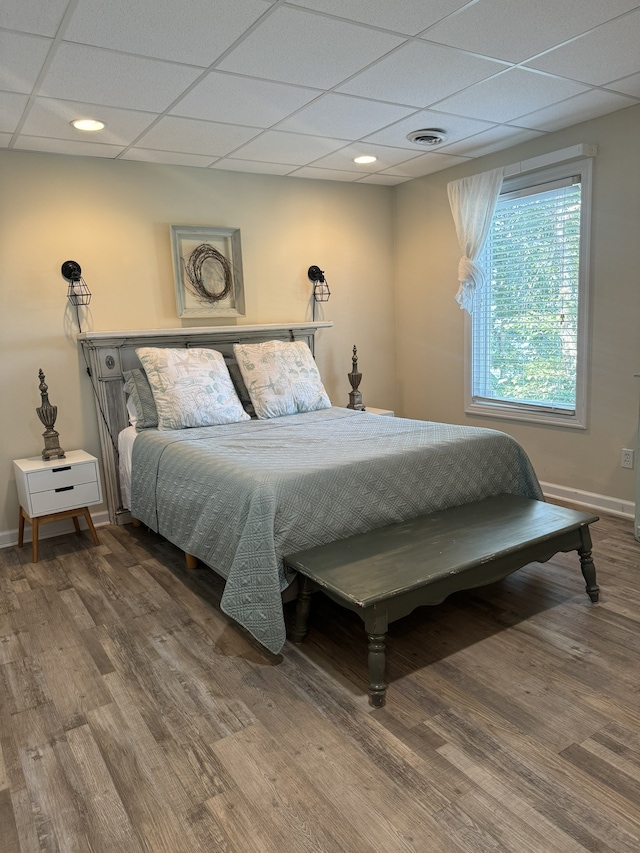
56,489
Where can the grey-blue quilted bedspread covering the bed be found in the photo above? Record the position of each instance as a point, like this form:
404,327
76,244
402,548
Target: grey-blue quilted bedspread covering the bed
240,496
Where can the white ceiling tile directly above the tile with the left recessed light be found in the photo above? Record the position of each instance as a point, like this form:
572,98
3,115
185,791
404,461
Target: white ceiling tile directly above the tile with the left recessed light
97,76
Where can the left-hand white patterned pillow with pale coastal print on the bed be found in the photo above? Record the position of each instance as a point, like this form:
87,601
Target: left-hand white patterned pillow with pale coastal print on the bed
191,387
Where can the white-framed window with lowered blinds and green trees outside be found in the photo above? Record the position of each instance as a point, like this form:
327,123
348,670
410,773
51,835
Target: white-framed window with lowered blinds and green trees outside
528,329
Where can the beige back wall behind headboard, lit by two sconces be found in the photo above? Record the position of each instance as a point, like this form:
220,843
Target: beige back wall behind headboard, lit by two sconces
113,218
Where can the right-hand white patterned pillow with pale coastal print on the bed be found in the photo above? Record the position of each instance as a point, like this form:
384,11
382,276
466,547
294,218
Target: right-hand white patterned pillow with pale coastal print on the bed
281,378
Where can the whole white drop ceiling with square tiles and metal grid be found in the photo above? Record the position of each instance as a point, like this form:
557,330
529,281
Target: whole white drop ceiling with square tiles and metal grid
301,88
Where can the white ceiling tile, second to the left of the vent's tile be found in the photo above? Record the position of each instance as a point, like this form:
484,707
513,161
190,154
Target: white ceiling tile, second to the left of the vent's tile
242,100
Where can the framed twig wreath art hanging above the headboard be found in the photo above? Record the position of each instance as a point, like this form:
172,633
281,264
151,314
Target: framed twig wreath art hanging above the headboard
207,264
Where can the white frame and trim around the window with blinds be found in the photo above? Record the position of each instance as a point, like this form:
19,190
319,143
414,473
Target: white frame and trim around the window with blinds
532,413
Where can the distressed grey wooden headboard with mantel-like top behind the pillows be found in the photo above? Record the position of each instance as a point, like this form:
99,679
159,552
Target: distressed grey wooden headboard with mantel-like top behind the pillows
108,354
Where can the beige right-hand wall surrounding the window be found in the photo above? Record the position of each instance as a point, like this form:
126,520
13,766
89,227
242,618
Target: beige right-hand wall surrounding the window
430,325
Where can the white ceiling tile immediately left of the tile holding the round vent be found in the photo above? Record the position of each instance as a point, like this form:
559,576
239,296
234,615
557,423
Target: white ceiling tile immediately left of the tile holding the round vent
343,116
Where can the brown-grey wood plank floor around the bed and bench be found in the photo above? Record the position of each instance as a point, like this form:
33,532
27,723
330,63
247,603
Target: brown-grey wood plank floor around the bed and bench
135,716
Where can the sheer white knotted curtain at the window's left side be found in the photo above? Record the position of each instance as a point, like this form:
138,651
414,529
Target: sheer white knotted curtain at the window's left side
473,201
